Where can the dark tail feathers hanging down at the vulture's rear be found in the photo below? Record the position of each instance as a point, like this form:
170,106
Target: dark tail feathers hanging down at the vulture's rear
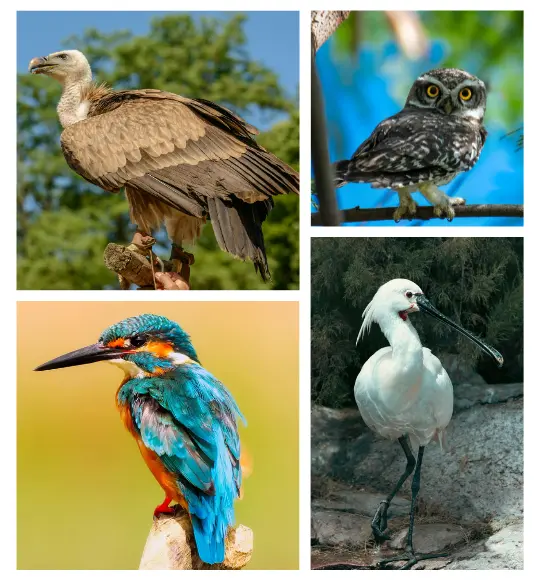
238,230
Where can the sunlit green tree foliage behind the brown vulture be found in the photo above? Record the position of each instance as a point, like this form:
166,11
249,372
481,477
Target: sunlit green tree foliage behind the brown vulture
64,223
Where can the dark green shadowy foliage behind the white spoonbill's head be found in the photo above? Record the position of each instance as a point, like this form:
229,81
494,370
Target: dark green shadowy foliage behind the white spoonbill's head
475,281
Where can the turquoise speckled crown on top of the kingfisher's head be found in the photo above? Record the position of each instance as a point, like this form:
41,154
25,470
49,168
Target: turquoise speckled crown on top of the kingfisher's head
152,326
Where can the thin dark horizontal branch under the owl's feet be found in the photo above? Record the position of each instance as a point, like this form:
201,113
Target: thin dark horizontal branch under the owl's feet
425,213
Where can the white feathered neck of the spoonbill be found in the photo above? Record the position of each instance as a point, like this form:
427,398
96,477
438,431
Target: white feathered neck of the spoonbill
403,338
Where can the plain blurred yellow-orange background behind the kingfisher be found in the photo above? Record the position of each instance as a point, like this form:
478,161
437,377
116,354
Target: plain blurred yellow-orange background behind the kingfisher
85,496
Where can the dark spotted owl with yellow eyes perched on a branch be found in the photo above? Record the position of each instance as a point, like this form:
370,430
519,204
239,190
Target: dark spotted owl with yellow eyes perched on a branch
437,135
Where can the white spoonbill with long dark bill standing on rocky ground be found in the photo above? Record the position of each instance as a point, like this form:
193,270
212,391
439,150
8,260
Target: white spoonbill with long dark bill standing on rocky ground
403,392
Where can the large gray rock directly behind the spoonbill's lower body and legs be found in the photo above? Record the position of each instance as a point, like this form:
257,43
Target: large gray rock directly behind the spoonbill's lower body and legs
479,477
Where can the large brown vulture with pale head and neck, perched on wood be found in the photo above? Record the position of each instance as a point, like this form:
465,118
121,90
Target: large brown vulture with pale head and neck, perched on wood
180,161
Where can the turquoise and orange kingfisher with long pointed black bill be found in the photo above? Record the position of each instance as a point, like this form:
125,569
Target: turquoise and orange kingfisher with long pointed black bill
183,419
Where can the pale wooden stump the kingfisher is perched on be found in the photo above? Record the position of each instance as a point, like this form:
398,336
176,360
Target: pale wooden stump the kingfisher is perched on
171,546
